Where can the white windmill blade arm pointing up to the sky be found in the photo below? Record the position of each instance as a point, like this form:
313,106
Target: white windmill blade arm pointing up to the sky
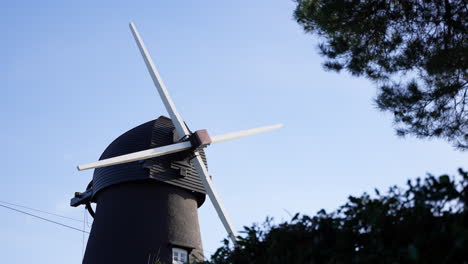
162,90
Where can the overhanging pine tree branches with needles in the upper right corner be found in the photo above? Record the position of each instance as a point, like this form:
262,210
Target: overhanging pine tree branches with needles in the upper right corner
416,51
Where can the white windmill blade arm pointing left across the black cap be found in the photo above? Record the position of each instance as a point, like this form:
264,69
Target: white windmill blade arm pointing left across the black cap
140,155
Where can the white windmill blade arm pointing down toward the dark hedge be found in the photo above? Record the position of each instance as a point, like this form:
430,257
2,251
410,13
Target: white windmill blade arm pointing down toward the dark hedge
214,198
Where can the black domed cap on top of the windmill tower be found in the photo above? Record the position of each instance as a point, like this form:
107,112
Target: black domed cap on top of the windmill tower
169,169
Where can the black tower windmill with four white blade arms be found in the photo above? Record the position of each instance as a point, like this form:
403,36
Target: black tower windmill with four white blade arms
159,166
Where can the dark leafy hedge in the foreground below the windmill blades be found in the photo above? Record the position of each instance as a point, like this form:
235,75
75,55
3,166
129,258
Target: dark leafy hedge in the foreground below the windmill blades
425,223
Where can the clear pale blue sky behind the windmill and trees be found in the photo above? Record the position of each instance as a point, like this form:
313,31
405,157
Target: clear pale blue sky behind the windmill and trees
72,80
